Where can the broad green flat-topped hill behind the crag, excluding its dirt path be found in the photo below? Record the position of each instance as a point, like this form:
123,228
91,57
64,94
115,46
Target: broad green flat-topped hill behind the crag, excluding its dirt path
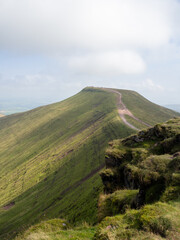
50,156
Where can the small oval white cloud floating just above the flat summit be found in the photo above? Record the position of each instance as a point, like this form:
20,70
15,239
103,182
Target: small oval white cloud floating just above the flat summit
108,63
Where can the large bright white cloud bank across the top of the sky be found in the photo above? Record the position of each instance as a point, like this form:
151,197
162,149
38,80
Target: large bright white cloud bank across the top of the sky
53,25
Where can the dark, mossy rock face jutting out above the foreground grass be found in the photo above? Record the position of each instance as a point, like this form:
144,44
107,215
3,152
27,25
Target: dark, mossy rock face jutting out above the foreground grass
148,162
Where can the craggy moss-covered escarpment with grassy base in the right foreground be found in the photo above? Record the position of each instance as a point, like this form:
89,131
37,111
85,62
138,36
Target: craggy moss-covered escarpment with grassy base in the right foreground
142,185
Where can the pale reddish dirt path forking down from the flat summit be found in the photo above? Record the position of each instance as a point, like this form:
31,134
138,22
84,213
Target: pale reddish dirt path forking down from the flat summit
122,110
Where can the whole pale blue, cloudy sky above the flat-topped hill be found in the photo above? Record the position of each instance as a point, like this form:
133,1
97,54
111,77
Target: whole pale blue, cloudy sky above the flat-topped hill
52,49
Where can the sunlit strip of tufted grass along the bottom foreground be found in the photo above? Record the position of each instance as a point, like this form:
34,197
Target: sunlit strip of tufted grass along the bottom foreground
132,225
